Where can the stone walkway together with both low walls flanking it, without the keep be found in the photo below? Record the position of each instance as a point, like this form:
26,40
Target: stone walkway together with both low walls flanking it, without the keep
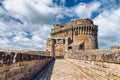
84,65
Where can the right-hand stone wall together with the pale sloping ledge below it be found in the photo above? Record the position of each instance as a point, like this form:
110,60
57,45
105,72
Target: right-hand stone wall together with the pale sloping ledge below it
98,64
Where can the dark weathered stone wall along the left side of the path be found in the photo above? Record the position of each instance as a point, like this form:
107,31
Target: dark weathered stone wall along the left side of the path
21,65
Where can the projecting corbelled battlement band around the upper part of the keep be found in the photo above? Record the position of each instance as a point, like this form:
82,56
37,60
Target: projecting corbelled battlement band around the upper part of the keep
86,29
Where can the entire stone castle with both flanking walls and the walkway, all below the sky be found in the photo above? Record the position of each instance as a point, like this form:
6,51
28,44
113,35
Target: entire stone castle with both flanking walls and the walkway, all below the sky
77,42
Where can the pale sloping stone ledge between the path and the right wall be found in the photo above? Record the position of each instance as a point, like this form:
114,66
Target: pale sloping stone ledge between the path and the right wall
98,70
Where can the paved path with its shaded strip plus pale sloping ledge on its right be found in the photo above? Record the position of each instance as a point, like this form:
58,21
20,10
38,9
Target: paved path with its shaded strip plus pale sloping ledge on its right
70,69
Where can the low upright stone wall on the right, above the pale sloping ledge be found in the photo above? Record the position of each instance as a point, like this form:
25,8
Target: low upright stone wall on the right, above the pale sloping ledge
111,56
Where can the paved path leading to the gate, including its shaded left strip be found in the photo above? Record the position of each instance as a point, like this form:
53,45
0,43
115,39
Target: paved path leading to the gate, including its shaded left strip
61,70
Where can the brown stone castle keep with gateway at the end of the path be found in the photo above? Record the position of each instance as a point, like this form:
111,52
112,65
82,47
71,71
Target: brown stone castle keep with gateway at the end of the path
73,36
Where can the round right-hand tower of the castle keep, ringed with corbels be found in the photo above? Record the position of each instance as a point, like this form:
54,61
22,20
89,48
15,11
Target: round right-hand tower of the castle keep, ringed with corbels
85,31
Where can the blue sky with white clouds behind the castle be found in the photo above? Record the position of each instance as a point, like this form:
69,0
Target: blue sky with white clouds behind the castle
26,24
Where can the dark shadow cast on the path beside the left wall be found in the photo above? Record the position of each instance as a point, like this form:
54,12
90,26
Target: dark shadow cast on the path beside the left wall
45,73
